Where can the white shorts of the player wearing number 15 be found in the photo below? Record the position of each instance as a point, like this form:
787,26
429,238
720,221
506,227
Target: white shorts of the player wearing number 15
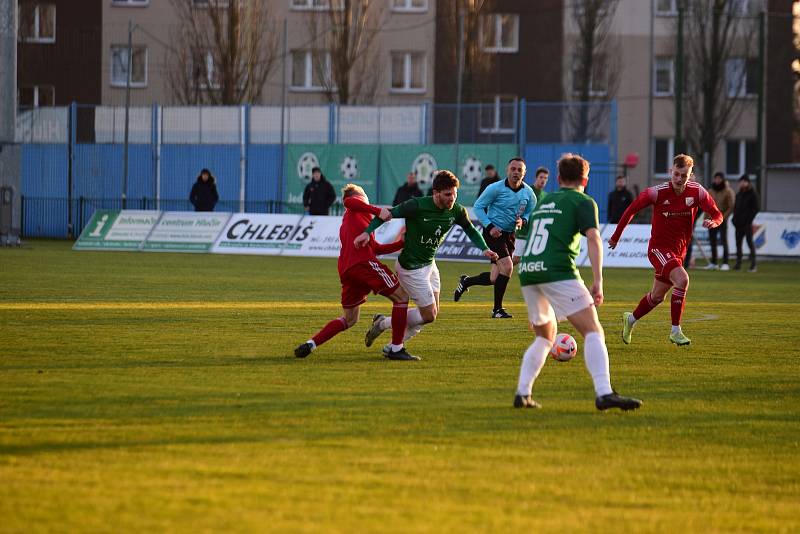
555,301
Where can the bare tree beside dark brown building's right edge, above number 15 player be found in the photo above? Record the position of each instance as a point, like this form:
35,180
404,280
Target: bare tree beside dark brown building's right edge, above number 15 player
595,74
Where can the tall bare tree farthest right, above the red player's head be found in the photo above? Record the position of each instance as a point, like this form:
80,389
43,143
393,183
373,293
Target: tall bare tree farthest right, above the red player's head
719,42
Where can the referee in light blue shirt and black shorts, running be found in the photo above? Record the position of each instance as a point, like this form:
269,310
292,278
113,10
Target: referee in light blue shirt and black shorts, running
502,209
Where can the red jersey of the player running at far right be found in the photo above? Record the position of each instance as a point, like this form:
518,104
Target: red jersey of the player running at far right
673,215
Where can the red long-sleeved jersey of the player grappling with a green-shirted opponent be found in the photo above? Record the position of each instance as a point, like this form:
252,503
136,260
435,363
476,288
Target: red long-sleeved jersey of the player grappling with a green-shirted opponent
357,216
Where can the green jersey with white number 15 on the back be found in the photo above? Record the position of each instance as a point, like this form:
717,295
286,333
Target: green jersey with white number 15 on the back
552,240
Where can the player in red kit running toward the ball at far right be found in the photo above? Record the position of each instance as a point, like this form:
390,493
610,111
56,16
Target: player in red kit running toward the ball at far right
675,204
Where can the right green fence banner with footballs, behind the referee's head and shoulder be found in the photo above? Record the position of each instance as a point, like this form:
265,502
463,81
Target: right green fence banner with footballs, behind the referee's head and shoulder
467,162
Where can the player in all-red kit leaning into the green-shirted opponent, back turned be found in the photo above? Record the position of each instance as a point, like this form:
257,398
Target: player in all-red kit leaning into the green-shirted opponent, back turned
361,273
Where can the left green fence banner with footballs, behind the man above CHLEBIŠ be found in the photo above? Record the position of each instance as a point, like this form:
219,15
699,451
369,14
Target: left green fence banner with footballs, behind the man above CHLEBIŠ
341,164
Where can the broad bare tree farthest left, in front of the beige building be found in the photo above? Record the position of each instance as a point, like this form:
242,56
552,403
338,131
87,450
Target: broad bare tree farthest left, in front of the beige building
222,52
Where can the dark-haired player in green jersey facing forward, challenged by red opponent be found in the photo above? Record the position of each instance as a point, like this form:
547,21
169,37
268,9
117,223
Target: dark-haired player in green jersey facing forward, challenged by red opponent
428,219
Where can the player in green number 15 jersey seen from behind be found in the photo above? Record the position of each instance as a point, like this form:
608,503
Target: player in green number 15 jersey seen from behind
553,288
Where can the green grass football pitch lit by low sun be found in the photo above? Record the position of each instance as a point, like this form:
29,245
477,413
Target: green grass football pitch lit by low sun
158,392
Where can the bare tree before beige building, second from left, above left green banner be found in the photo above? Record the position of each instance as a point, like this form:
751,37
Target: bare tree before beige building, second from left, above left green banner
345,57
